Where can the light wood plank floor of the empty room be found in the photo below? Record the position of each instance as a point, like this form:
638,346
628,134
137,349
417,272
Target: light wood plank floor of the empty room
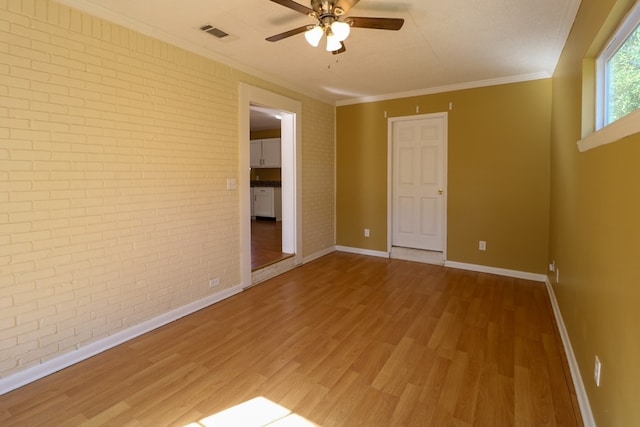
343,341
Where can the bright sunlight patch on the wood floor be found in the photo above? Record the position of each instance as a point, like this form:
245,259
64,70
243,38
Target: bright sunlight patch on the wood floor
257,412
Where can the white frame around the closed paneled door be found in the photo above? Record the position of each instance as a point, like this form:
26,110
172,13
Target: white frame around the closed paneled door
390,122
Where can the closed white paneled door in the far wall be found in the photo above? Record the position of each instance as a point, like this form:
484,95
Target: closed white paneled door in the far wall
418,182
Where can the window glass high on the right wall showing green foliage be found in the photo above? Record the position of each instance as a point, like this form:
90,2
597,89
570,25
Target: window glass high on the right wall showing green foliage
618,73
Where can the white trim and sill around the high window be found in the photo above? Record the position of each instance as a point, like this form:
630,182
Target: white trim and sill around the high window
629,124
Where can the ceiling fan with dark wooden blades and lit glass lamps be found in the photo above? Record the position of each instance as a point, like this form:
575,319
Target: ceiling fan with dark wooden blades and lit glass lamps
328,14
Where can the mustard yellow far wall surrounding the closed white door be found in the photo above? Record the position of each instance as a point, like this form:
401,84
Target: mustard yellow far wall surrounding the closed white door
498,172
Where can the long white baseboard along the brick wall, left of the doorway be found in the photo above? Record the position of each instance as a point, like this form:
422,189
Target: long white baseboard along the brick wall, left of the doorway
30,375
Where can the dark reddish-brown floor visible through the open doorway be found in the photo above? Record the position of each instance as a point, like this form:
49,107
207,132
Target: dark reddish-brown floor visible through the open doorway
266,243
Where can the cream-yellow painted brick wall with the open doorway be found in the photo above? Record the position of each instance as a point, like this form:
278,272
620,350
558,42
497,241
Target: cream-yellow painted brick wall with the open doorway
113,164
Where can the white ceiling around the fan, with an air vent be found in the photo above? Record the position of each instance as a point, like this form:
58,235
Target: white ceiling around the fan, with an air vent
443,45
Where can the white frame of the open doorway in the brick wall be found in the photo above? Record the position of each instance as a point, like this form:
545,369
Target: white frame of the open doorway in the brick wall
291,178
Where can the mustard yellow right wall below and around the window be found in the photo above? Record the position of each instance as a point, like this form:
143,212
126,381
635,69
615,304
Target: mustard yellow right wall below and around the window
595,234
